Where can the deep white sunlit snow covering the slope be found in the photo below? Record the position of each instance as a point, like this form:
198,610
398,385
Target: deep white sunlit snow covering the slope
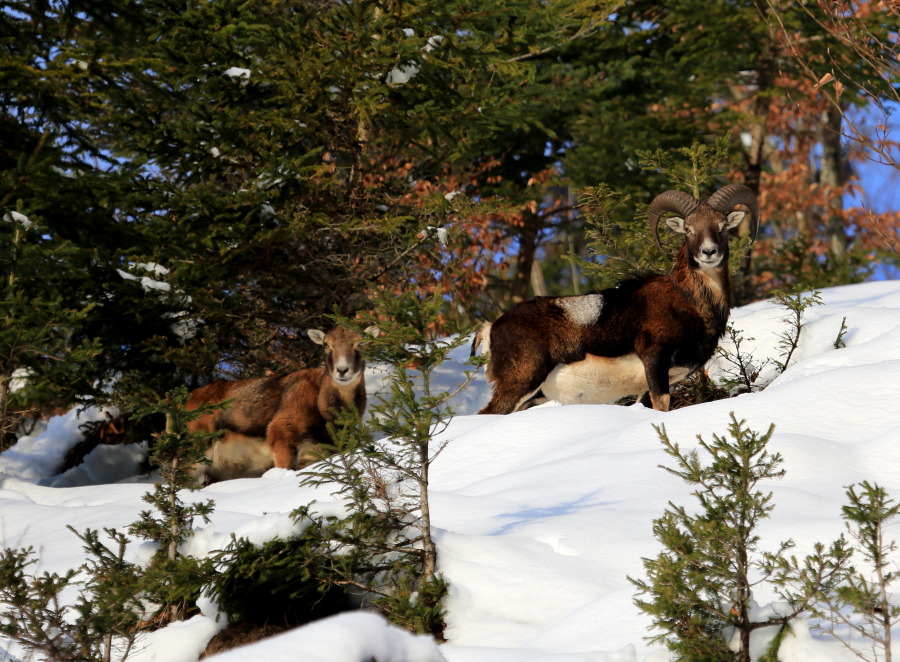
540,516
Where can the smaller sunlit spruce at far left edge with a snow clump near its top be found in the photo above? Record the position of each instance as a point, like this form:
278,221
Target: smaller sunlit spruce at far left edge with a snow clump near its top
44,359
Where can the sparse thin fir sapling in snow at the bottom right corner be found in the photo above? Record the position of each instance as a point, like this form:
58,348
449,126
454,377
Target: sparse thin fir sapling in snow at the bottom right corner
861,612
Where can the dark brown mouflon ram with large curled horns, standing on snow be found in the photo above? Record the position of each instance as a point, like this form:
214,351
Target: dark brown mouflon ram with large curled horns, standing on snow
639,336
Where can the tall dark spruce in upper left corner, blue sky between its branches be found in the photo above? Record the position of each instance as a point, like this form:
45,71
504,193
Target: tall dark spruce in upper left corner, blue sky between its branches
68,188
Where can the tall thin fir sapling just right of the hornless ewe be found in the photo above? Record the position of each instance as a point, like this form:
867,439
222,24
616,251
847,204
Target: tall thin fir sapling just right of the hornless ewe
381,465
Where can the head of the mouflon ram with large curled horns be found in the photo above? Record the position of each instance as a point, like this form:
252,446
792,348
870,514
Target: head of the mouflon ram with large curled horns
705,224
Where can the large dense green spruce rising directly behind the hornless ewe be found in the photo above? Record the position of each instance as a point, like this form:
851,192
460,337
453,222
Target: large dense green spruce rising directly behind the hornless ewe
282,157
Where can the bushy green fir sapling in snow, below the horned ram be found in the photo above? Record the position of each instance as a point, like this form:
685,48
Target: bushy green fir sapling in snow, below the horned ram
699,590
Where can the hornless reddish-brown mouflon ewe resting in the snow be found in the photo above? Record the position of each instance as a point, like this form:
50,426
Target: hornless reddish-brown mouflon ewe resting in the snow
280,421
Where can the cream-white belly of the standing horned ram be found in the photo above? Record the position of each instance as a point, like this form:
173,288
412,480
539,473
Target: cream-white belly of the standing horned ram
601,380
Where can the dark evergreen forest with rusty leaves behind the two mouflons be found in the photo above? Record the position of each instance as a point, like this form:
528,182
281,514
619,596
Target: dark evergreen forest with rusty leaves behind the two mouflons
186,186
